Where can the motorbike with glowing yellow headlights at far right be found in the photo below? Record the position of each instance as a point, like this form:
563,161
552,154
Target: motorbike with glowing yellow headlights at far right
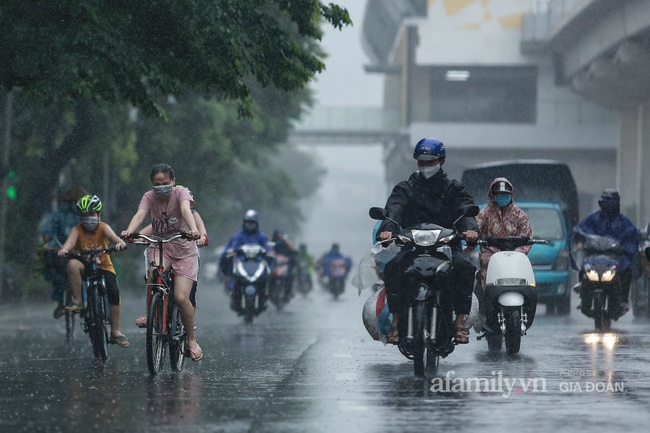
597,258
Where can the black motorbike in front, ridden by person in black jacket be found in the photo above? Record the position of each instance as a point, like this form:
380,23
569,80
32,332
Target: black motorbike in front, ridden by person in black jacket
426,333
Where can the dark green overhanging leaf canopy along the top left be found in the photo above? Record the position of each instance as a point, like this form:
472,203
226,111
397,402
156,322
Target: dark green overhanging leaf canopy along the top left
133,51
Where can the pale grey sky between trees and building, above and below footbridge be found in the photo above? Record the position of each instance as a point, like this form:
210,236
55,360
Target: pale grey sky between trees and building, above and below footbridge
355,178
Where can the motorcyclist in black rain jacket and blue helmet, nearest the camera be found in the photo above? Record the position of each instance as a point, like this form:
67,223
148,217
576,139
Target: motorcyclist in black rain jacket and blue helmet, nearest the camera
429,196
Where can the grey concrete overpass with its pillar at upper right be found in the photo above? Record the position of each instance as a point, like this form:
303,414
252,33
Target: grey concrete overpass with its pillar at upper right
601,51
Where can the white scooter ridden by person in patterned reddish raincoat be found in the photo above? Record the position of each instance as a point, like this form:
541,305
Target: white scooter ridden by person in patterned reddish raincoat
509,301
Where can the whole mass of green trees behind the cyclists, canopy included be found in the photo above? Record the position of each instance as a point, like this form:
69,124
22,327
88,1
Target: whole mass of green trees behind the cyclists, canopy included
92,79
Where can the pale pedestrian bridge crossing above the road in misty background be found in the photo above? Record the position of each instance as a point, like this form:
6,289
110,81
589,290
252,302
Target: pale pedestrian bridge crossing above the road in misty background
346,125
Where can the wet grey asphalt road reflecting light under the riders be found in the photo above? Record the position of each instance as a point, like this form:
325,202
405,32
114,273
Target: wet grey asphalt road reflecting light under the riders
313,368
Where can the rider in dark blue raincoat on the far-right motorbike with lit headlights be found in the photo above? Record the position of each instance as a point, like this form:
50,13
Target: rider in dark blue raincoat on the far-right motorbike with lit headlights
609,221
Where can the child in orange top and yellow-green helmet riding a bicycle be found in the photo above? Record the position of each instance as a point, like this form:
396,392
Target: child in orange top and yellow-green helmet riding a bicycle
91,233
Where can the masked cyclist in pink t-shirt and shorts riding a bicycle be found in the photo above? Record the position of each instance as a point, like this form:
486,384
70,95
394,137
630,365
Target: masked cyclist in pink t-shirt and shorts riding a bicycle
170,211
